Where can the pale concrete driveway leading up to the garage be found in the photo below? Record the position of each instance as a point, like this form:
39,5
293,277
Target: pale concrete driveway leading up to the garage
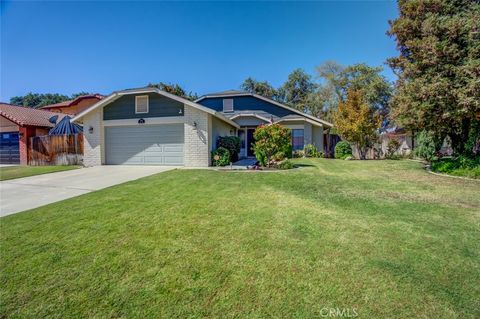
20,194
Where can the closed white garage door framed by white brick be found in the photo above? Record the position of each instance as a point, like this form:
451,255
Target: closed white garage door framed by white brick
144,144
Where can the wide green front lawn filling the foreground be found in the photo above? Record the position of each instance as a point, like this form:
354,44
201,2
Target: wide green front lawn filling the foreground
382,239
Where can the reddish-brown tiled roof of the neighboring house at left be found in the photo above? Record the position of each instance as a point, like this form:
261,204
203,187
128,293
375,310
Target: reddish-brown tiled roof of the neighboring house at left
25,116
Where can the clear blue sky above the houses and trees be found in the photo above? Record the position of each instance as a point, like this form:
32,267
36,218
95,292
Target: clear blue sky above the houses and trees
68,47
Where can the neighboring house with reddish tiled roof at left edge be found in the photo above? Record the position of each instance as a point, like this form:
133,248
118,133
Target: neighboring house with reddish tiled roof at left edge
17,125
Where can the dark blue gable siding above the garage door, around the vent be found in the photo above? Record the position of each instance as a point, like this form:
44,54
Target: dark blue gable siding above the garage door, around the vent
159,106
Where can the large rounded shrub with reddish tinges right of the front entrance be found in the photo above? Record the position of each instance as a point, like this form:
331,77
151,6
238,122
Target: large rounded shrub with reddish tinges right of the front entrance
272,143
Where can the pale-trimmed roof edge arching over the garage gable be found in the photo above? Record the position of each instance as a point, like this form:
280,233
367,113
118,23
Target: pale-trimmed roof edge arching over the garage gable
117,94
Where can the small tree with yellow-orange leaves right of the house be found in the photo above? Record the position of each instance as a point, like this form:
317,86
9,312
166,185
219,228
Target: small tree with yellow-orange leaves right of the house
357,122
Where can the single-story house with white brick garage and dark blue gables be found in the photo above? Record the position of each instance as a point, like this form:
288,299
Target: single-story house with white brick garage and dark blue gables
147,126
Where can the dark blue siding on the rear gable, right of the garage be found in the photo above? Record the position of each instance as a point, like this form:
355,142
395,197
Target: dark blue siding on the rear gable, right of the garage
246,103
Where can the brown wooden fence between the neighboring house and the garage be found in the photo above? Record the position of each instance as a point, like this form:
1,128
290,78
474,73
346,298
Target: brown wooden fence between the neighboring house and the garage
56,150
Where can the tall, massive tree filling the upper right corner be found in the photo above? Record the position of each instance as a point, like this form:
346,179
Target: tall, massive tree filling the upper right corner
438,69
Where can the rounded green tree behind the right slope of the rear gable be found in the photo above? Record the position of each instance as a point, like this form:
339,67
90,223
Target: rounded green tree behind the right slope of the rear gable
295,90
